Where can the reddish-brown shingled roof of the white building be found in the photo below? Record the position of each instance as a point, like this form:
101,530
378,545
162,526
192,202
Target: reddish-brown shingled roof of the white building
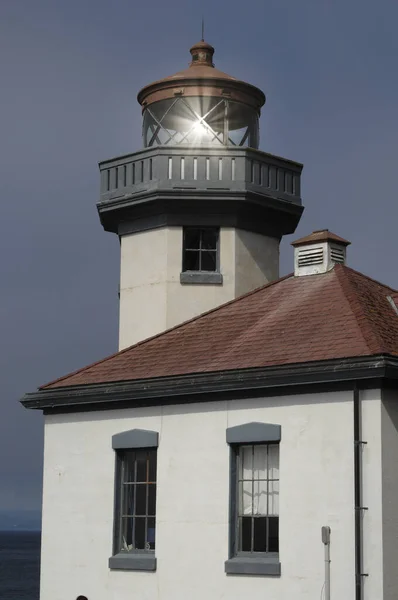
338,314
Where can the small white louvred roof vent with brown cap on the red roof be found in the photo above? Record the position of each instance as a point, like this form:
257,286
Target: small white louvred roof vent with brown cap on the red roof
318,252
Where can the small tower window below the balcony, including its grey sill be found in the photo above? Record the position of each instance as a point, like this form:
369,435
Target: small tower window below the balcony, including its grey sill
201,255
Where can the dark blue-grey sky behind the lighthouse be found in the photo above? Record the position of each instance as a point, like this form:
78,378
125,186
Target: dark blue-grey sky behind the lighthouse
70,71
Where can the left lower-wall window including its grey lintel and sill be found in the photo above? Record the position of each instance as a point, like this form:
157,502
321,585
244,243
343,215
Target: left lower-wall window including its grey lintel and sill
135,500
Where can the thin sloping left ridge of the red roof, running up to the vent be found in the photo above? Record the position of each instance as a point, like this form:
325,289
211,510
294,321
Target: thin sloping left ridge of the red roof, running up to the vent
162,333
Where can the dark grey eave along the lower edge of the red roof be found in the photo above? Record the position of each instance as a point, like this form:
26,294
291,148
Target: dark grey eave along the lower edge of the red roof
201,387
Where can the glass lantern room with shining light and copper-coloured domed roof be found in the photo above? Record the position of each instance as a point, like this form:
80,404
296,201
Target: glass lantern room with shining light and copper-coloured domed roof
201,106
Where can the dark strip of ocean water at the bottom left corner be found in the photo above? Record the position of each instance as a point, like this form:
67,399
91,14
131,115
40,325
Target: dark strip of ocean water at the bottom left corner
19,565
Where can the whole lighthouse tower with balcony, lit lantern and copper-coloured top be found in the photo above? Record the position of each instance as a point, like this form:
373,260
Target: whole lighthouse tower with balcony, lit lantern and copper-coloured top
200,210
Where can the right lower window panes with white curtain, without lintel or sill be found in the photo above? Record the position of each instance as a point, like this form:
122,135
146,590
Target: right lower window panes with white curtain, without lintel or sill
257,515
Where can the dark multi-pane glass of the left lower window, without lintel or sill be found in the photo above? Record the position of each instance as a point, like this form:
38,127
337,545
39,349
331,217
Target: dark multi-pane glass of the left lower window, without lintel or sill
136,501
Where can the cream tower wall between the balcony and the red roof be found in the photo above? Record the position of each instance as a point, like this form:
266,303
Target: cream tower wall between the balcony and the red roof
152,299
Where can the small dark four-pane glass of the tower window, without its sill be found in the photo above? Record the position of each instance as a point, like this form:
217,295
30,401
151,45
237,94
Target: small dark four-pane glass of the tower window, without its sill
200,249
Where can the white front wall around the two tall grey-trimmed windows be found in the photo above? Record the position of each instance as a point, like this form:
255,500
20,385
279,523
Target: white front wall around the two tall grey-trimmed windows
316,489
